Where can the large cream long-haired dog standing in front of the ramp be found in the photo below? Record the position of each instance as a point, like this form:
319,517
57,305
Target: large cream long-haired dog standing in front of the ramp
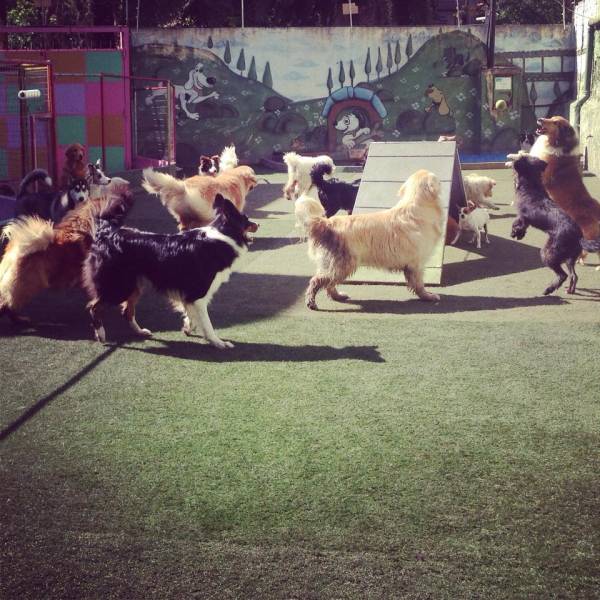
401,238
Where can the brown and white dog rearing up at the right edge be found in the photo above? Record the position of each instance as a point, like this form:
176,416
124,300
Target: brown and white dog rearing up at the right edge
557,145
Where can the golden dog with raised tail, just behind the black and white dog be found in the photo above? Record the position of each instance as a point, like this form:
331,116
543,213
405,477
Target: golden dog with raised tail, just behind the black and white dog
190,200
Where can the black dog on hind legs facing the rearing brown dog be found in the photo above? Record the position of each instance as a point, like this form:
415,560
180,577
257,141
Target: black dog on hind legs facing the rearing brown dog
536,209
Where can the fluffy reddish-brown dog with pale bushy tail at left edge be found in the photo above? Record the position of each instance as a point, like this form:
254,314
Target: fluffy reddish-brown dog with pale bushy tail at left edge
39,255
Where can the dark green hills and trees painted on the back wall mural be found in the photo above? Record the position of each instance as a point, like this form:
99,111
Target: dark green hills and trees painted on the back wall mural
438,90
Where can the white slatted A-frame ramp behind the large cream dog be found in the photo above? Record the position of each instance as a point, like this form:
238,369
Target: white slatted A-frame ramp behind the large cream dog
388,166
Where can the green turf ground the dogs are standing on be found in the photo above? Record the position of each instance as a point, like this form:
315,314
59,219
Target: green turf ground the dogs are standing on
383,448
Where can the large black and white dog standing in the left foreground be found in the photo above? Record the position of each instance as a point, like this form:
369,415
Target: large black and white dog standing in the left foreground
187,267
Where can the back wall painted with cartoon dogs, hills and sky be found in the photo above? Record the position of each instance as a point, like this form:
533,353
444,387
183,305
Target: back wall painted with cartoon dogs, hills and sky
336,90
